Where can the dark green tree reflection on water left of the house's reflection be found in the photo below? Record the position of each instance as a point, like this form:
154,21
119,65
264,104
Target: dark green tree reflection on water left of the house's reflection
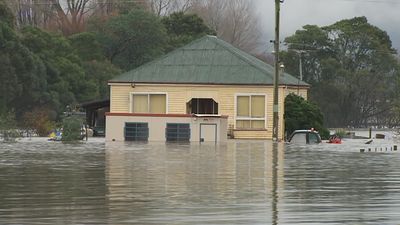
51,183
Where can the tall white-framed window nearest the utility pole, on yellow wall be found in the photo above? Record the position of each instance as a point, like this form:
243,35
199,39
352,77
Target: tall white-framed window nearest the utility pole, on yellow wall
250,112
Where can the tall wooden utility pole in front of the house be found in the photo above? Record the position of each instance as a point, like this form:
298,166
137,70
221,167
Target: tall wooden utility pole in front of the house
276,77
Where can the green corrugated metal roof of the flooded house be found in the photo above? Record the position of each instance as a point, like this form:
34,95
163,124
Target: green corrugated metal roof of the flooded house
207,60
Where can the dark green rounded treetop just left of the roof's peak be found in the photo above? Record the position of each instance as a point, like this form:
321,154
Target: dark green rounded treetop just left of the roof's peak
183,28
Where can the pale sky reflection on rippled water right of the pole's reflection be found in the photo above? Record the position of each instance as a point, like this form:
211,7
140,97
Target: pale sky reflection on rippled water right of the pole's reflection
341,187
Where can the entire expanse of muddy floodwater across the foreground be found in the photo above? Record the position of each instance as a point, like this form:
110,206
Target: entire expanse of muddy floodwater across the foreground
240,182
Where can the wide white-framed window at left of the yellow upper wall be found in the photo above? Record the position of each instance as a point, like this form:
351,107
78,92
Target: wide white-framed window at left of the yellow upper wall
149,103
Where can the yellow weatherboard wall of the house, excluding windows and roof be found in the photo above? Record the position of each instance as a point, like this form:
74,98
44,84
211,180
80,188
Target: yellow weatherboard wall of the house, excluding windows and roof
179,94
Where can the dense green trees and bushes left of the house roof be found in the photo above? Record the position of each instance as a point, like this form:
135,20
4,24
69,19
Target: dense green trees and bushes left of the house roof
43,72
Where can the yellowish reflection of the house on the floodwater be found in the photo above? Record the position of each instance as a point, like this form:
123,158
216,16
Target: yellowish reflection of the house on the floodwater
195,184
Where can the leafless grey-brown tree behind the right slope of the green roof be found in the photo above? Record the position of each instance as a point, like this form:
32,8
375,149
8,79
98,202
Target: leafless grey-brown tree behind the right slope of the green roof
235,21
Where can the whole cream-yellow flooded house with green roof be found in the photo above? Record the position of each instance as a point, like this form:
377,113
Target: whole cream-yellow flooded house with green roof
204,91
